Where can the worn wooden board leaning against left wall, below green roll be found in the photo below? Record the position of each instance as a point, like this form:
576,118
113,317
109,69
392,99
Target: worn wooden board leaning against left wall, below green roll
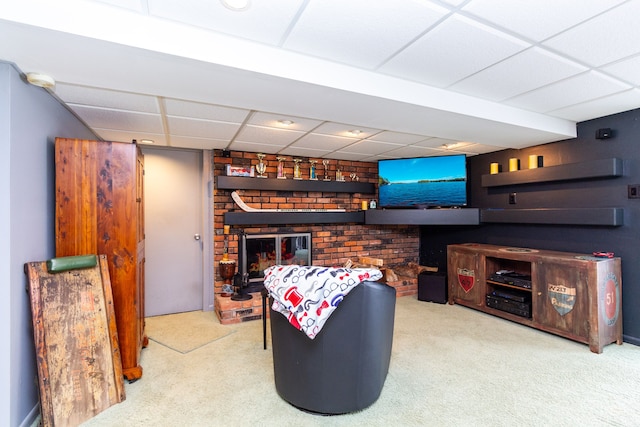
76,342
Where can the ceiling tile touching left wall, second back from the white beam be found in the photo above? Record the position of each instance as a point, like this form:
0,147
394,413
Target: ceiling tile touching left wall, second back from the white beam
119,120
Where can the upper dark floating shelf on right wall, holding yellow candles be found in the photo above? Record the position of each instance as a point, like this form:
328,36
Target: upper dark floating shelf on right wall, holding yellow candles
601,168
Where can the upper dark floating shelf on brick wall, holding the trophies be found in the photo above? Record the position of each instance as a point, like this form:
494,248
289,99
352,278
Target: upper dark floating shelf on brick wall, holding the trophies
247,183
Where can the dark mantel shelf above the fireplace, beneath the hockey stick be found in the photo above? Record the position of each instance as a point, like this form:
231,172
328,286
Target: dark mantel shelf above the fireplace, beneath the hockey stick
272,218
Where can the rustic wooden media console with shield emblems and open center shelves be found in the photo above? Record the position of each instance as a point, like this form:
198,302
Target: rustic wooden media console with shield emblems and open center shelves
573,295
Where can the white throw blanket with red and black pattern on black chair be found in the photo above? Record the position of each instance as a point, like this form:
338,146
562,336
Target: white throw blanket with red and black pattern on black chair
307,295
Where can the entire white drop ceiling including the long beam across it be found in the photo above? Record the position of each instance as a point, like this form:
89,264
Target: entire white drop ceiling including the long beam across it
413,77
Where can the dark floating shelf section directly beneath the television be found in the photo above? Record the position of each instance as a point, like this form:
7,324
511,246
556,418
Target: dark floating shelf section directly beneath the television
462,216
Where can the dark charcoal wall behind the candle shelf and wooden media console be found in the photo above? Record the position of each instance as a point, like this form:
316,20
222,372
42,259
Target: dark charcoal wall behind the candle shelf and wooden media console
589,193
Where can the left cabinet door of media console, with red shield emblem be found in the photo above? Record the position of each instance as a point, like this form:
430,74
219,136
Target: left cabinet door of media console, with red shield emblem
466,280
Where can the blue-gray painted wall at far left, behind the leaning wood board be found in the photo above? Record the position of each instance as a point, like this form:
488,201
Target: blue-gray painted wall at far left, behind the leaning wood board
30,120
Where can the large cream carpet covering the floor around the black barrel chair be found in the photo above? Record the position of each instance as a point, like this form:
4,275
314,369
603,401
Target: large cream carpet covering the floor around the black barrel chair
450,366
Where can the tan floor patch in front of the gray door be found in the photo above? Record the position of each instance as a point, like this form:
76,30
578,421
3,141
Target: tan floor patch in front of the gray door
185,332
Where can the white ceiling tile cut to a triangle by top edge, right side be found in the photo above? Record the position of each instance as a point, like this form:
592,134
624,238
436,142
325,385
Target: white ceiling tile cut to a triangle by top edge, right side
538,19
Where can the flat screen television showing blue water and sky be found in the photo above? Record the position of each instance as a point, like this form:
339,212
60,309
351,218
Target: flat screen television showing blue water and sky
423,182
